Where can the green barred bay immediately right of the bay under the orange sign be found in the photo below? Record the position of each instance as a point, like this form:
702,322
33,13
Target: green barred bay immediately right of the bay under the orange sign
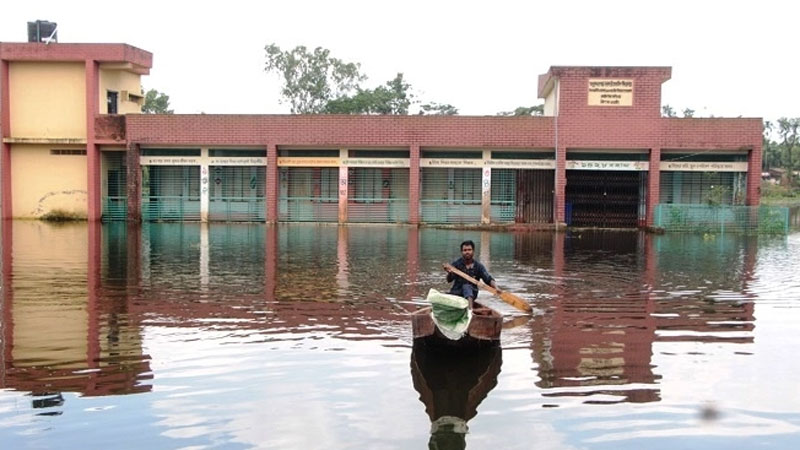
377,195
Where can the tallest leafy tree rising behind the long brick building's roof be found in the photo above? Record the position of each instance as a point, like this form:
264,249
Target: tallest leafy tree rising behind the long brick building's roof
312,79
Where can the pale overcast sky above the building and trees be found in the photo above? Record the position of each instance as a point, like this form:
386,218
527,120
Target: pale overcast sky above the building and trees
728,58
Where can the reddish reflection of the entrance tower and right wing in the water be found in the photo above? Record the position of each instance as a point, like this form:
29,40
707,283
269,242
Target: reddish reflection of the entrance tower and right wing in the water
599,336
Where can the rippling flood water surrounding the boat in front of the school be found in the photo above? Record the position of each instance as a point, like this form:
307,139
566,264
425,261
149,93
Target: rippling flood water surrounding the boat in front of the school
298,337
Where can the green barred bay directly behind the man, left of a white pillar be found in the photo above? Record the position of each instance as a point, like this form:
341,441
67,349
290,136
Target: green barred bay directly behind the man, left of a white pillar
450,195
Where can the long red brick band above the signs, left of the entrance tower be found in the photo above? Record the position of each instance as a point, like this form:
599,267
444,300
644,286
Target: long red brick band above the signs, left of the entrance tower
336,131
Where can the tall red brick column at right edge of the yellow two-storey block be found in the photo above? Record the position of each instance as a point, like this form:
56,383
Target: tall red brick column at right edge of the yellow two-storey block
92,150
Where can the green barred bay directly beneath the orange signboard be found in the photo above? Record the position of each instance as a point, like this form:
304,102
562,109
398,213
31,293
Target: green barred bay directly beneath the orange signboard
309,194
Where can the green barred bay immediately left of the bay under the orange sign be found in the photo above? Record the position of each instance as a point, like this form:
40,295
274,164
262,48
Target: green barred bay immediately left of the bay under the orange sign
237,193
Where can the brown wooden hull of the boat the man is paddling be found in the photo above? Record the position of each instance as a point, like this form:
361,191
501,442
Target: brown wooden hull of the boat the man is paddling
484,329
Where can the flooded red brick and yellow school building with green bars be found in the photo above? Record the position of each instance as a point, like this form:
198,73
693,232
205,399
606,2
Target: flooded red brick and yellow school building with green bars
74,143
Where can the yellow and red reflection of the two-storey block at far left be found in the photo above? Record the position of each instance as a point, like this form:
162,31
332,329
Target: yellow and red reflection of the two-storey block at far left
60,334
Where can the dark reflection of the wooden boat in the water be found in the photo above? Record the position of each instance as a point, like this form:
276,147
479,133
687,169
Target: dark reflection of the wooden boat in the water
452,385
